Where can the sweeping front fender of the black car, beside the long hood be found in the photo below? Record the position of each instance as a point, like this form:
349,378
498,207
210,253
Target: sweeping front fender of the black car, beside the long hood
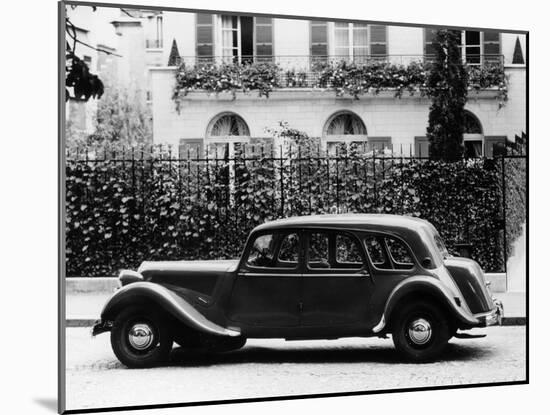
168,301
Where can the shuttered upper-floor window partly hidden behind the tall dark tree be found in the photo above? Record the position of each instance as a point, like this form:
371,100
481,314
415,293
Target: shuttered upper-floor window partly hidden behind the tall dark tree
476,47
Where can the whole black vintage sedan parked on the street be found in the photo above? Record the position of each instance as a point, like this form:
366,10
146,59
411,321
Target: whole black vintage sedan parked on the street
313,277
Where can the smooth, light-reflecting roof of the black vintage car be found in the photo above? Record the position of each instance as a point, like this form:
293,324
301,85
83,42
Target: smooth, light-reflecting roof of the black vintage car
361,221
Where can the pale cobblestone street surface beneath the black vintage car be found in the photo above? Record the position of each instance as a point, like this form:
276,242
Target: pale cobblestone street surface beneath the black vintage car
262,368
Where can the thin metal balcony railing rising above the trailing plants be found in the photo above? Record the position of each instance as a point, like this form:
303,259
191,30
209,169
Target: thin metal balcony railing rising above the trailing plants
308,71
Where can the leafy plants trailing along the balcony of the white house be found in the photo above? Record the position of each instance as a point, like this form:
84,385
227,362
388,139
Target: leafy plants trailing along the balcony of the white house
345,78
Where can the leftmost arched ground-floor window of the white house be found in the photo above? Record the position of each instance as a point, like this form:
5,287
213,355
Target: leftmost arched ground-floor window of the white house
226,133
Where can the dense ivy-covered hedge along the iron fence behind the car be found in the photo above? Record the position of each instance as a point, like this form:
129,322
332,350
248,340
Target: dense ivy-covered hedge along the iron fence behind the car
120,213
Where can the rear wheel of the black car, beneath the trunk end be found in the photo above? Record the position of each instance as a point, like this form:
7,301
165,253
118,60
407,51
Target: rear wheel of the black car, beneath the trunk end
420,331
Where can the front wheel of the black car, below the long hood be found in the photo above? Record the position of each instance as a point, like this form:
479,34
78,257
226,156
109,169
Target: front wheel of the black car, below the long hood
140,338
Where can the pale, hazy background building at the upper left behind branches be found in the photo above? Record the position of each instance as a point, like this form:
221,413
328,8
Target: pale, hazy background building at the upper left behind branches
119,46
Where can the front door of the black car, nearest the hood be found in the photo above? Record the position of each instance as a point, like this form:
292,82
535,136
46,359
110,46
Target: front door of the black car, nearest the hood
266,292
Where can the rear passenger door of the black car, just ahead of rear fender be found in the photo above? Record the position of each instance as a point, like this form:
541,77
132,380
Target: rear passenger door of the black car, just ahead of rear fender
337,284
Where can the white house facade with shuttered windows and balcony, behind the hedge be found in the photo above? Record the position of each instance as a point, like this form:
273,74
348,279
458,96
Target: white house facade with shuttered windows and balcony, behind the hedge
376,119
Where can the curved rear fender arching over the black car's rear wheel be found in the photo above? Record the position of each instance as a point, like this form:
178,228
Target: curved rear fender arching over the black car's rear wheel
426,285
